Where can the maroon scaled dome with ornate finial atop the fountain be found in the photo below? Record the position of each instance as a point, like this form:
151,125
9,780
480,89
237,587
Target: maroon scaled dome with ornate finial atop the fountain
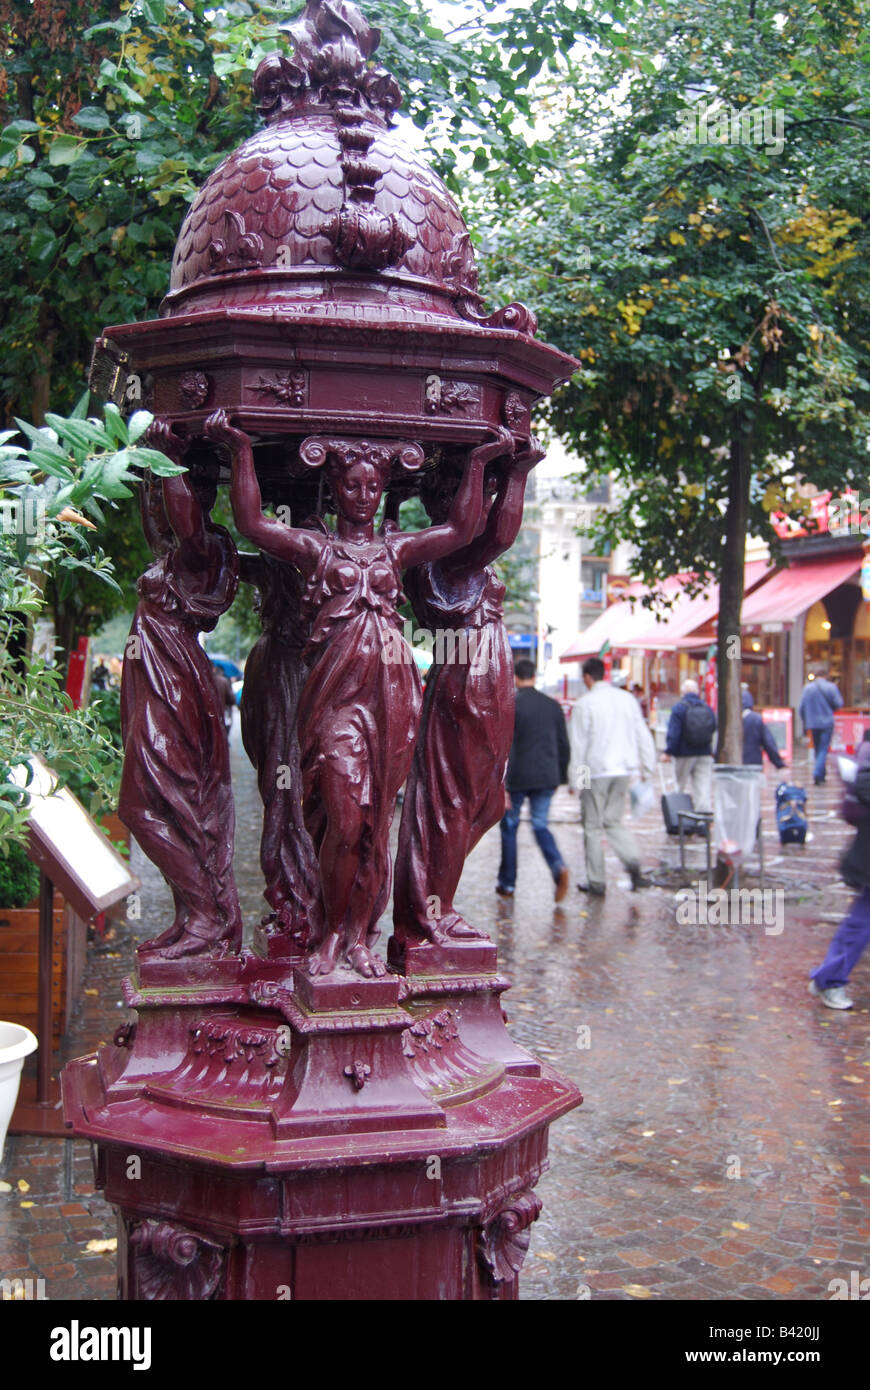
327,206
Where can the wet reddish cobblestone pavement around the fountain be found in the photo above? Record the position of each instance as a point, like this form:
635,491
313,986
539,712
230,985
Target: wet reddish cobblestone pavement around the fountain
723,1149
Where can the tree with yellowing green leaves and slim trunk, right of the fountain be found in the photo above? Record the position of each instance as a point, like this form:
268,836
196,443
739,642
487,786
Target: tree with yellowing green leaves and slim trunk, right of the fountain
711,279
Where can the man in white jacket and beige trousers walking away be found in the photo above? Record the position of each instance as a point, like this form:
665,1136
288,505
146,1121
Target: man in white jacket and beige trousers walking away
611,747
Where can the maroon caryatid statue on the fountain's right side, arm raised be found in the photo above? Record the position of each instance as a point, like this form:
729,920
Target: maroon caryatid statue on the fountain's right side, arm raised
457,787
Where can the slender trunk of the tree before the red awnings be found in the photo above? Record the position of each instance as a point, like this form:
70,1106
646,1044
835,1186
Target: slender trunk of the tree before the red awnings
732,596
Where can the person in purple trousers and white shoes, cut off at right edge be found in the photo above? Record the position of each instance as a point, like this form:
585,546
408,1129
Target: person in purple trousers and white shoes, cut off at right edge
853,936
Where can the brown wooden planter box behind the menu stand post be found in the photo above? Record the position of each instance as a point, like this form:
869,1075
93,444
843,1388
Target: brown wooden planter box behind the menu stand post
20,964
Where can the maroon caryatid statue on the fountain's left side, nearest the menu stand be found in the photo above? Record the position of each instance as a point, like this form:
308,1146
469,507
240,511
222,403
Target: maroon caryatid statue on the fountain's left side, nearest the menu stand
176,789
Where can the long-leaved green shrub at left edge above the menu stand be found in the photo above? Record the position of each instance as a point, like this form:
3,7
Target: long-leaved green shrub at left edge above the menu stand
54,494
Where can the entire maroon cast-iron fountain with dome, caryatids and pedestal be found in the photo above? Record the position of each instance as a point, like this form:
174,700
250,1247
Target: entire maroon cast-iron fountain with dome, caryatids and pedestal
305,1117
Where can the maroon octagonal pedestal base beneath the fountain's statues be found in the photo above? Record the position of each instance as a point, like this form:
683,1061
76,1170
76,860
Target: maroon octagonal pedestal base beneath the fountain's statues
270,1136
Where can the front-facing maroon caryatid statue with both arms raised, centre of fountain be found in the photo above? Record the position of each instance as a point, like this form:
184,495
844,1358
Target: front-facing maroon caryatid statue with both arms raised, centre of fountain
361,705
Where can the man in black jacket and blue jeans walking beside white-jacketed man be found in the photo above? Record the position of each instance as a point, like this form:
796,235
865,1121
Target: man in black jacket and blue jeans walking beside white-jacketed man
537,767
